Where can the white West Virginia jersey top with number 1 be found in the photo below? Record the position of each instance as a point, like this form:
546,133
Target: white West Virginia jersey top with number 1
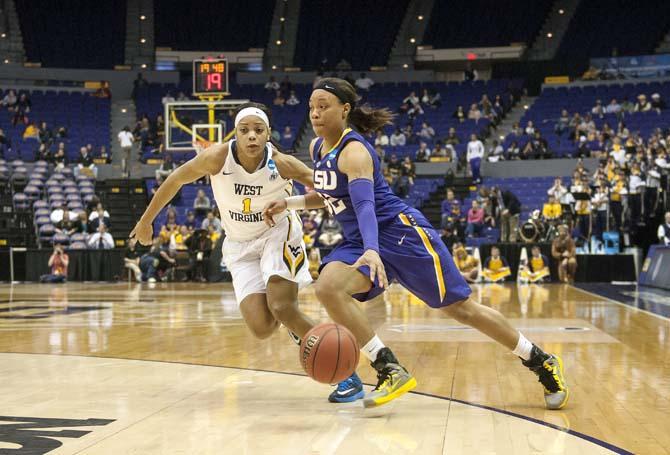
241,196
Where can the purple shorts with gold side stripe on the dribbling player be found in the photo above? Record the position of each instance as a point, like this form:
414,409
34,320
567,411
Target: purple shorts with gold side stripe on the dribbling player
415,256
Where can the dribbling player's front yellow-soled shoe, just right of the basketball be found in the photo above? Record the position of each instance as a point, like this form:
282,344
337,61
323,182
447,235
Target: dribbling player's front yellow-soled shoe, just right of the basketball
393,380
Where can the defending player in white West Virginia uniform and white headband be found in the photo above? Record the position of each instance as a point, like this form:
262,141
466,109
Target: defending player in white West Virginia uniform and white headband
268,265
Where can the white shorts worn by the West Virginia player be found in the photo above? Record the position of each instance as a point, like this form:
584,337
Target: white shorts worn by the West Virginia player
278,251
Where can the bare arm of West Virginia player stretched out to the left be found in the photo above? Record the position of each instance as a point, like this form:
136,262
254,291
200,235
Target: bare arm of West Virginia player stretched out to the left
208,162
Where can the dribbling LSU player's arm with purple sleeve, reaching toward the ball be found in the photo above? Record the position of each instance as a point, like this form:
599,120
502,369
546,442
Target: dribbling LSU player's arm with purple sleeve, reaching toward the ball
356,163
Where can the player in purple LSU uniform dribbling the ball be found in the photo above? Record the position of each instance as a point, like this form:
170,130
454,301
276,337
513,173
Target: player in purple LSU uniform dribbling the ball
385,238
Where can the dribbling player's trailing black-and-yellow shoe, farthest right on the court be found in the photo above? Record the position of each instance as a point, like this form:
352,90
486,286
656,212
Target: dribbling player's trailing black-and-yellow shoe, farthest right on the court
549,370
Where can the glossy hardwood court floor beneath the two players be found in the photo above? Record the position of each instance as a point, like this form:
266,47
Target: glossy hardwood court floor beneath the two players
145,363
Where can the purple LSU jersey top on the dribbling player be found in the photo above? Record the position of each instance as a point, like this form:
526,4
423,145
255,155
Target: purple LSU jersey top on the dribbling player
333,185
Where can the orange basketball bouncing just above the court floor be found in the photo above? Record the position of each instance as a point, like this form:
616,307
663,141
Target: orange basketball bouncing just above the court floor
329,353
